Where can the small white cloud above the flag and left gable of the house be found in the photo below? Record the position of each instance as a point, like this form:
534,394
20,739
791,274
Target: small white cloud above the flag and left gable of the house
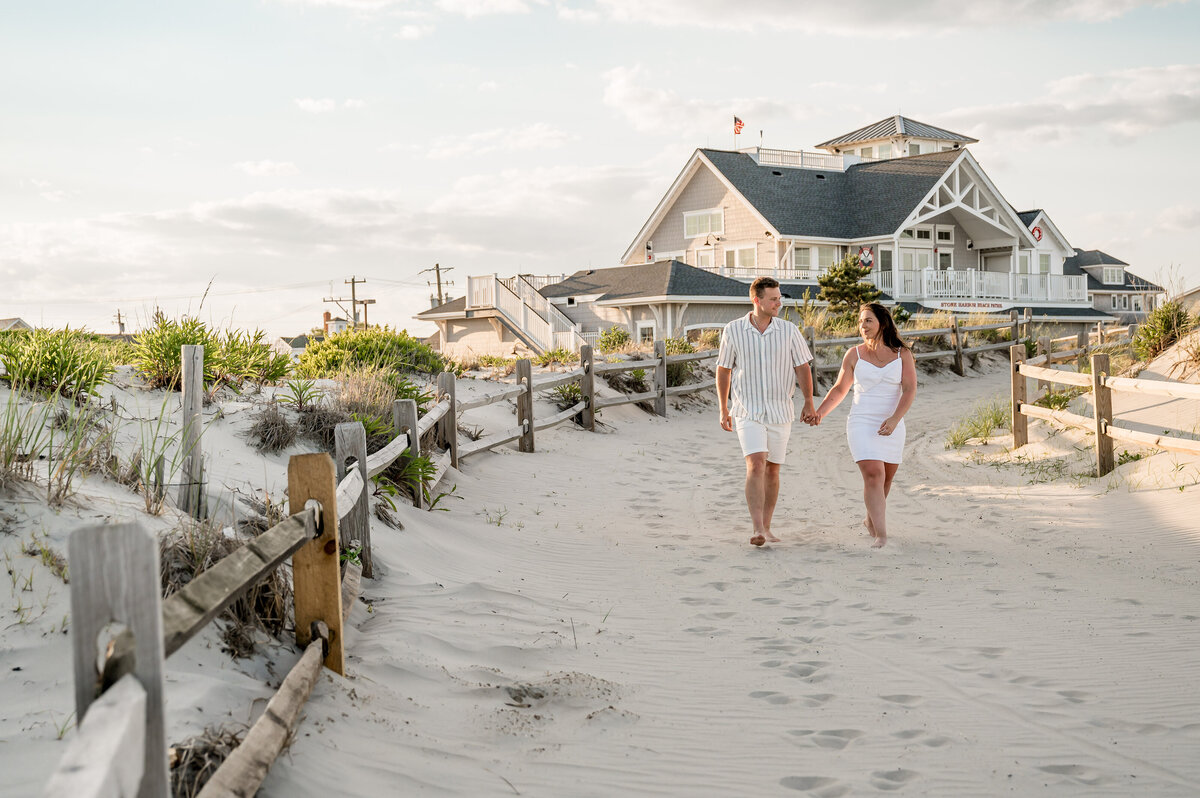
656,110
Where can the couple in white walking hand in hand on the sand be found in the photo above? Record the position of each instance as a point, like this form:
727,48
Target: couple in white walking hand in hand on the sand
761,361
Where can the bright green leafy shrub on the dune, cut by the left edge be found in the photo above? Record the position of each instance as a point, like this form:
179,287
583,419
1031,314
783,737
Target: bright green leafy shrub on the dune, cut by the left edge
68,363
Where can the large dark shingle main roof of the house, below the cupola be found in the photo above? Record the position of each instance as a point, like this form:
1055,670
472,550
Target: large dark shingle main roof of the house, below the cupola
866,200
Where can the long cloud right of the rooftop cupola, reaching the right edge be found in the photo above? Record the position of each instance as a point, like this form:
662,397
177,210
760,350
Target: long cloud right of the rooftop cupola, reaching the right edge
1127,105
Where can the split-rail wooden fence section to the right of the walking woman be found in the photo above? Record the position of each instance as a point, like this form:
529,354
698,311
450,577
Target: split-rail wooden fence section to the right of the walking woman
1102,423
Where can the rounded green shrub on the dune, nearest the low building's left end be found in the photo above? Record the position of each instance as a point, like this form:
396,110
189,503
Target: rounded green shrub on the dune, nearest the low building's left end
381,347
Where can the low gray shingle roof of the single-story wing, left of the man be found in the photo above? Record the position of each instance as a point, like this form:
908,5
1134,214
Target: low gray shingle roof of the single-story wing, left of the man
644,280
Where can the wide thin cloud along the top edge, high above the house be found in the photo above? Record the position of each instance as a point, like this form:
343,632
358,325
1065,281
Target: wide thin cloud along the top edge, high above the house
850,17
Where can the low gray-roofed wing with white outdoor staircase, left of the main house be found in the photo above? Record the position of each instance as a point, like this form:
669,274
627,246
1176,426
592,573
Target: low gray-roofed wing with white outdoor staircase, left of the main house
656,301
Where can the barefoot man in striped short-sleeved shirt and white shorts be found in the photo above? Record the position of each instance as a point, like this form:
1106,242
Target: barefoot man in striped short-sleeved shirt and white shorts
763,358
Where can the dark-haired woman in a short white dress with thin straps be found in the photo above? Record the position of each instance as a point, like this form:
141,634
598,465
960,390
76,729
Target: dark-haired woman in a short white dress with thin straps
885,379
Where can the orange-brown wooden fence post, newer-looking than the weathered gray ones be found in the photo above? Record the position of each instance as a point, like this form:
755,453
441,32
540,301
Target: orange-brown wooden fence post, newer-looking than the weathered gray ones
316,569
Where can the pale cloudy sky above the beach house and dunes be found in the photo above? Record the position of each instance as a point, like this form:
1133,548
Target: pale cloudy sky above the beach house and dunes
278,148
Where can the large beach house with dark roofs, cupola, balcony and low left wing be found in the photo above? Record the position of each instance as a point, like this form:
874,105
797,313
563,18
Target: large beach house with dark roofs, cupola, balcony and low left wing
909,199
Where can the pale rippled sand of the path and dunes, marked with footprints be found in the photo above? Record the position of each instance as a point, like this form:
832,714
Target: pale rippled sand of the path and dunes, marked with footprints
590,620
